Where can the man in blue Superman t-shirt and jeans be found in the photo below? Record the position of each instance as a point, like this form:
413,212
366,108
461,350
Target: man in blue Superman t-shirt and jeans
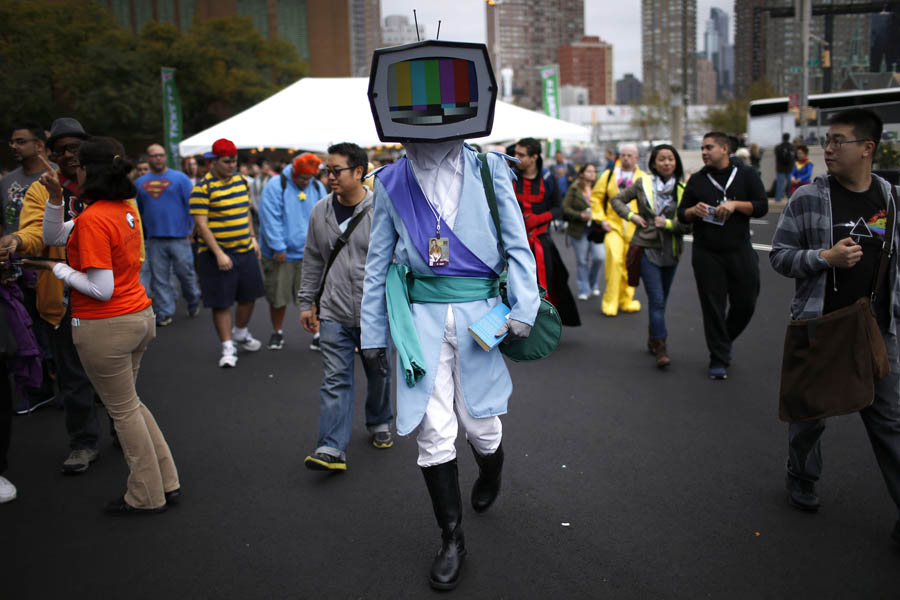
163,199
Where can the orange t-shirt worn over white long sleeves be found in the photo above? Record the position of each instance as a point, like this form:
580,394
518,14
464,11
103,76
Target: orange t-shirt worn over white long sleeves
107,235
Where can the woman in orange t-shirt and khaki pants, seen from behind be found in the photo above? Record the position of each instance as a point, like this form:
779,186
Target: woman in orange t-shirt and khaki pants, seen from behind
112,319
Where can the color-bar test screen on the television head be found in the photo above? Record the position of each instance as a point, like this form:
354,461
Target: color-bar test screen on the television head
432,91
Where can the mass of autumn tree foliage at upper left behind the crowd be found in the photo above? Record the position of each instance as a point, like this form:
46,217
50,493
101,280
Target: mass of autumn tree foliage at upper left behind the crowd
73,59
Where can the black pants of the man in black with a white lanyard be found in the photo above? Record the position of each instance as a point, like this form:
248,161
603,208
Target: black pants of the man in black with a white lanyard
728,285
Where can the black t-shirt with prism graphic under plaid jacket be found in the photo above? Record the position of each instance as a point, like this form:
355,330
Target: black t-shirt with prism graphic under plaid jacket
861,216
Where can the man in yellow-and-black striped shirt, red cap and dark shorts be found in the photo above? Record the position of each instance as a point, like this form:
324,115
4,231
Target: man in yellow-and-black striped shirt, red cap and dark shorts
228,256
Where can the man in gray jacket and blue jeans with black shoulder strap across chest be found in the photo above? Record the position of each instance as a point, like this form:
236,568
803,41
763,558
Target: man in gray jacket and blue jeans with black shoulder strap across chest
347,208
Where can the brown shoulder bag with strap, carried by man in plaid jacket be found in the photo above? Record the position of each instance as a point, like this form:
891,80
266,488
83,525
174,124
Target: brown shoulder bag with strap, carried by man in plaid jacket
831,363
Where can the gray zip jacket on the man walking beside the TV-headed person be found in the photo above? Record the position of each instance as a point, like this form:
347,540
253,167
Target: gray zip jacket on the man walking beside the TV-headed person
342,297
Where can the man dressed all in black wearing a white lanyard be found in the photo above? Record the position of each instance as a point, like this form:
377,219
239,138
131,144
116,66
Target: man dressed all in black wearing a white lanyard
720,200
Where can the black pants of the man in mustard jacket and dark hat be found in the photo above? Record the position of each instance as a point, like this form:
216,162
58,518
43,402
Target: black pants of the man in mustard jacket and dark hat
79,398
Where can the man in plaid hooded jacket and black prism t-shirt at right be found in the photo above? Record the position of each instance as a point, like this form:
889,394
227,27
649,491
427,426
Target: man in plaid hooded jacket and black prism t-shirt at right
829,238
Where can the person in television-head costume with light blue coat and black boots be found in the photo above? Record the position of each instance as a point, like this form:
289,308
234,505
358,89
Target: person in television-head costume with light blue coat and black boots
429,96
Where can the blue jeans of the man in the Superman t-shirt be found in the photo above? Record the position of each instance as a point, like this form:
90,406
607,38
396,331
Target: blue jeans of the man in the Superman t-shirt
165,256
